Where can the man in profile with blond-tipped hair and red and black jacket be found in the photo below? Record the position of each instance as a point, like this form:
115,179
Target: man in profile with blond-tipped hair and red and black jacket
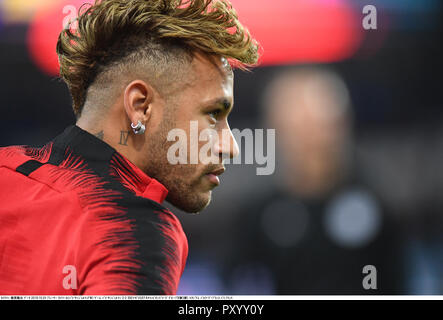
83,214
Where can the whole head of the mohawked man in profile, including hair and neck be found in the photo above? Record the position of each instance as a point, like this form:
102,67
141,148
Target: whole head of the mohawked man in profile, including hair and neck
163,63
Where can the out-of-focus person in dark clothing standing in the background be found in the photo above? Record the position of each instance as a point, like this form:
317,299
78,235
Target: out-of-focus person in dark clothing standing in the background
320,224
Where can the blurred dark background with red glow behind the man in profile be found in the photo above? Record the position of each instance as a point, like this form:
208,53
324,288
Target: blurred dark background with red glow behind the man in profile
358,118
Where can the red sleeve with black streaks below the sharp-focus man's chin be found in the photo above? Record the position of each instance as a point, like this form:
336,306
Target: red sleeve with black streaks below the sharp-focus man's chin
137,244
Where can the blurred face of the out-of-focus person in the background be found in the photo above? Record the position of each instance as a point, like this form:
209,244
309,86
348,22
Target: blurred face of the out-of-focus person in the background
311,119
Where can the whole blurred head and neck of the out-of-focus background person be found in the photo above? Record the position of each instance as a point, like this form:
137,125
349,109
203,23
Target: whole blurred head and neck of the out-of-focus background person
310,108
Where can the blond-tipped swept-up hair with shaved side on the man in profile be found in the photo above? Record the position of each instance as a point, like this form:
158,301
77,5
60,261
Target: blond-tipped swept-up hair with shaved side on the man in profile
114,37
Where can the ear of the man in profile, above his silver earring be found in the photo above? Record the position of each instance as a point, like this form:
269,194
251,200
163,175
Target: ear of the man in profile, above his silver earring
138,98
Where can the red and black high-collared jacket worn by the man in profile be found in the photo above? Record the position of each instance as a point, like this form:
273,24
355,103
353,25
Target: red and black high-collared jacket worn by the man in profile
78,205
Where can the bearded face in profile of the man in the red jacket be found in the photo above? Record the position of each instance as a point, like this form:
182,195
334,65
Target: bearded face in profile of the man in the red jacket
205,100
